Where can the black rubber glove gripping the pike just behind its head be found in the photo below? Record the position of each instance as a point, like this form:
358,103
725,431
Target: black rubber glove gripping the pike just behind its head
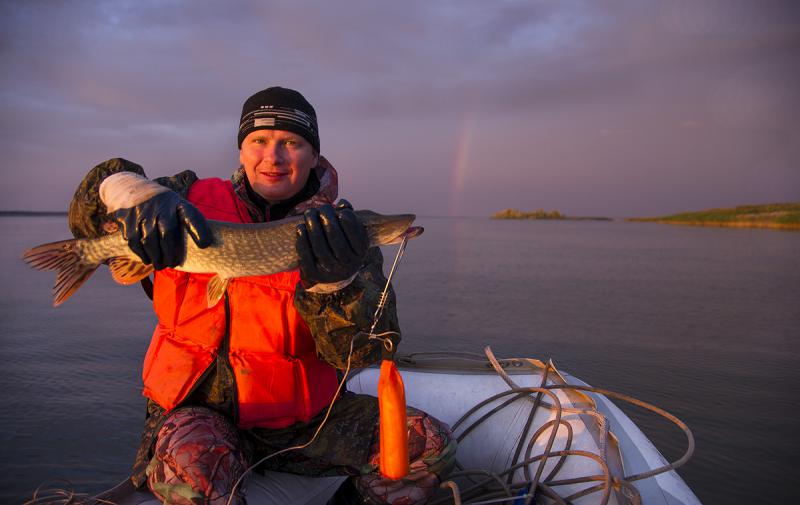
331,243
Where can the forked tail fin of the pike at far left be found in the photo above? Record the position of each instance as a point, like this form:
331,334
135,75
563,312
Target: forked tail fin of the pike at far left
63,257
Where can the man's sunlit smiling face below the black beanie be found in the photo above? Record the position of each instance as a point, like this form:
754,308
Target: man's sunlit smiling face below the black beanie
277,163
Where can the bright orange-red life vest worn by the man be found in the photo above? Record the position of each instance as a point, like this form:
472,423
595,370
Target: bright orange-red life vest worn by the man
279,379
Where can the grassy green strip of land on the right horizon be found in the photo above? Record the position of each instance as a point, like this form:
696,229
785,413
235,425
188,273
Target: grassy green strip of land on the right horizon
782,216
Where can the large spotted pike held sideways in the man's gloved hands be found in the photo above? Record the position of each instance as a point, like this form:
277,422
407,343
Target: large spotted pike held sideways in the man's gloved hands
238,250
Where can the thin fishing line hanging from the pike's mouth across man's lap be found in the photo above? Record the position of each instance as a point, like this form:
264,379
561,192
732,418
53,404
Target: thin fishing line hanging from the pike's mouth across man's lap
387,343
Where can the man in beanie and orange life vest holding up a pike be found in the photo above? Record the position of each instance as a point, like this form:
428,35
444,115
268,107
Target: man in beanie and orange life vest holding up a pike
255,374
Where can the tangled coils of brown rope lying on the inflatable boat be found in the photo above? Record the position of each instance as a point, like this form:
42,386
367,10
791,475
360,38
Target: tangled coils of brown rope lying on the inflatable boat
500,487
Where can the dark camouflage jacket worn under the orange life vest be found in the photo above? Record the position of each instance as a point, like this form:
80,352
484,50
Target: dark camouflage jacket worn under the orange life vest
334,318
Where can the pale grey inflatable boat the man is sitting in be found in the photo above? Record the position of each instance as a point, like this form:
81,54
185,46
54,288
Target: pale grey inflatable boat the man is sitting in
527,433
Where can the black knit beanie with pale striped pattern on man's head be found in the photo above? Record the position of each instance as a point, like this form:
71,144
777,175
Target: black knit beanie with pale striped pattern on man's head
279,108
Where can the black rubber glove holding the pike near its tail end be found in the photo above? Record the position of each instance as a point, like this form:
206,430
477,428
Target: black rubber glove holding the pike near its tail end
154,229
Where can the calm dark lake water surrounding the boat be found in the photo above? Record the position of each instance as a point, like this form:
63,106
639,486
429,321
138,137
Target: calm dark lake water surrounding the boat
703,322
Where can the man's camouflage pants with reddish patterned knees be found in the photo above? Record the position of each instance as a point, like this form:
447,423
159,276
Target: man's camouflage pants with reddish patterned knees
199,455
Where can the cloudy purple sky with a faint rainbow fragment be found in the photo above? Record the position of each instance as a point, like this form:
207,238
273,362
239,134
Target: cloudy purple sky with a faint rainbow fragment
464,107
